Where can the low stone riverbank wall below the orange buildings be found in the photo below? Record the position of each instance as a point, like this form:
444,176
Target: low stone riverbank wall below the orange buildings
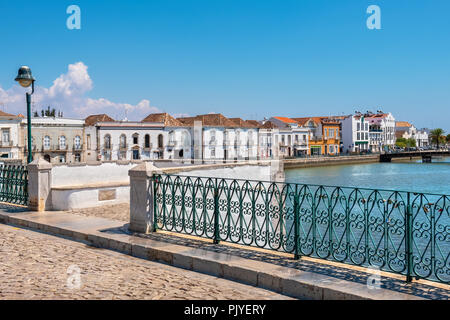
327,161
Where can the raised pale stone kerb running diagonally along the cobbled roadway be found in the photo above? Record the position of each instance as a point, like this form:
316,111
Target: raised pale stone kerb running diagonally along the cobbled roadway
287,281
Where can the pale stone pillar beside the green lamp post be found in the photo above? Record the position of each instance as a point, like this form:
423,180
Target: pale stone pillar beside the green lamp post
39,185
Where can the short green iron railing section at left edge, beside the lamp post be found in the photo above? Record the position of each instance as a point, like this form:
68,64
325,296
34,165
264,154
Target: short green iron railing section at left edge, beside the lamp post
14,184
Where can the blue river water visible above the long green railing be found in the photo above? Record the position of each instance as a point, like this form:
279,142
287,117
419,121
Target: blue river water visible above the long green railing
407,176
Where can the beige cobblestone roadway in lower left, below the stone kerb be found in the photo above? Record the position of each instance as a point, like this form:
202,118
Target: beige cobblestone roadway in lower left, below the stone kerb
39,266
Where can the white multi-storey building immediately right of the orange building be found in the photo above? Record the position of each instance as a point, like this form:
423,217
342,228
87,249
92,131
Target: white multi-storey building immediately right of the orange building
355,133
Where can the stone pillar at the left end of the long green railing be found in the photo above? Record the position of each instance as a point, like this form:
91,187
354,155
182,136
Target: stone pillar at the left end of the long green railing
141,197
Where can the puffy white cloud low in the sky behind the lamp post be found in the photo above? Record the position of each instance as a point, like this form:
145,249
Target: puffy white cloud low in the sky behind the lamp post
68,94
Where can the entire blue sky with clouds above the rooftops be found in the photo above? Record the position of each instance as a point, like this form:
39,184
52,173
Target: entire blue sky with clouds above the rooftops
249,59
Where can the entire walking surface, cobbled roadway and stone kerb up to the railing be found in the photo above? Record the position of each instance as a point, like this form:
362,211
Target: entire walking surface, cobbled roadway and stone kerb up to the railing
117,264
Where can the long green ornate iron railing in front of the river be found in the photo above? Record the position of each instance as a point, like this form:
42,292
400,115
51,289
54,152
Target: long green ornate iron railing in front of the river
401,232
